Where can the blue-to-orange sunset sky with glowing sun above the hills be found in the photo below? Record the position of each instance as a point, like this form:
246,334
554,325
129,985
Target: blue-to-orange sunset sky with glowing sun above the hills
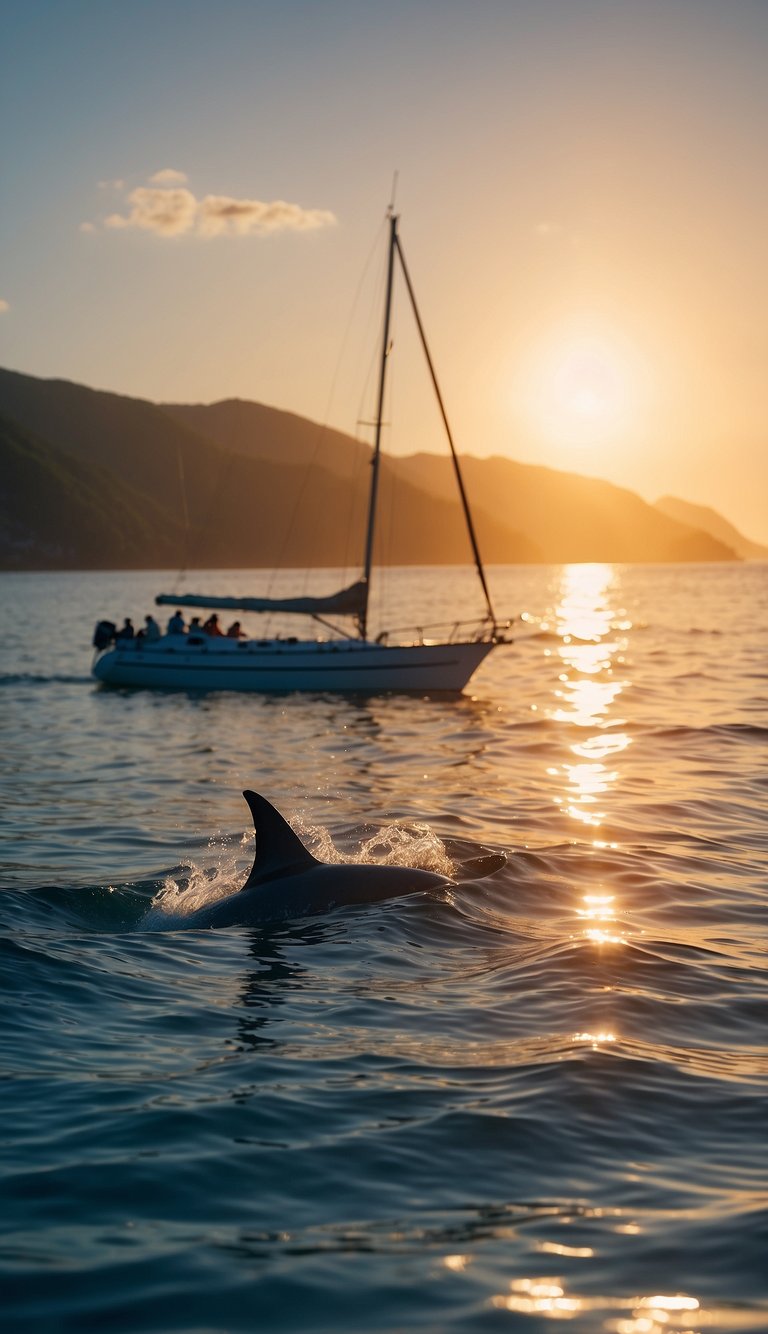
194,207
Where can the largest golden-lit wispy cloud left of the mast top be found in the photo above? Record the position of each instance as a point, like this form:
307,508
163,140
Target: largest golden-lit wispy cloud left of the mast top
169,211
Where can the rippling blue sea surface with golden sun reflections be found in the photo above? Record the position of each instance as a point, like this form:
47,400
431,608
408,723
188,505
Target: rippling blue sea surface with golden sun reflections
541,1097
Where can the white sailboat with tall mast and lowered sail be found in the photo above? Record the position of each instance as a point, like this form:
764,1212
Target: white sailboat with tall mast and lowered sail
347,661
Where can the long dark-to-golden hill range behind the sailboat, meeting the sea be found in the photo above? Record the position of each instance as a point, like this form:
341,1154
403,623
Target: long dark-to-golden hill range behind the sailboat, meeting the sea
238,485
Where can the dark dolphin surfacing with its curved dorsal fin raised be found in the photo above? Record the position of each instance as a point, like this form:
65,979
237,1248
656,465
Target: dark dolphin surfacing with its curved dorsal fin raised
289,882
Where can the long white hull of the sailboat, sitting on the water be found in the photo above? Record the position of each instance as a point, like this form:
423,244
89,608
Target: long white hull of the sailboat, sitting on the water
206,664
